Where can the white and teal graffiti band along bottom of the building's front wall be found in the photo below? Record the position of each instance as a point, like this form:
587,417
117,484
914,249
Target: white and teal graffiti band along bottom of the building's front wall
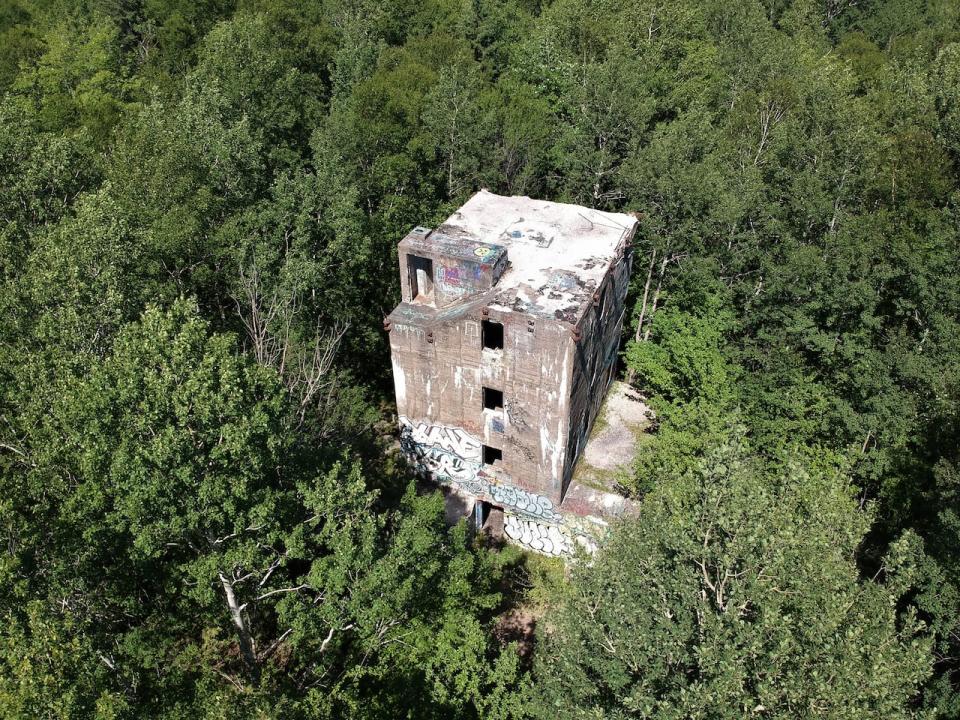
453,456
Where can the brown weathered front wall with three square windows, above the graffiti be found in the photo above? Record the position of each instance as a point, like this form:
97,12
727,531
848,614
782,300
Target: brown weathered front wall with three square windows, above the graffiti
440,370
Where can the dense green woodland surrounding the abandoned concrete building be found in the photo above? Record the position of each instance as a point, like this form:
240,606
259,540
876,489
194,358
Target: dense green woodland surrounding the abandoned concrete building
200,510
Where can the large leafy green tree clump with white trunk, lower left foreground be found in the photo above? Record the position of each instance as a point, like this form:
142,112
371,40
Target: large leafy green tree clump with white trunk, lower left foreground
194,550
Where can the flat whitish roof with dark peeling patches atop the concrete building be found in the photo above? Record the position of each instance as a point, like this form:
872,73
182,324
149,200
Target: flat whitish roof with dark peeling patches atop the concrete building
558,253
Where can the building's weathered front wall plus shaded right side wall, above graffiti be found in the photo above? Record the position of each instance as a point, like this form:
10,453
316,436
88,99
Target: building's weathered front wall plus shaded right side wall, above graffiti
553,378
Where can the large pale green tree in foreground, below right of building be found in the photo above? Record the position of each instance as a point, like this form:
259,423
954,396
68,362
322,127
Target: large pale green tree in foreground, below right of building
735,592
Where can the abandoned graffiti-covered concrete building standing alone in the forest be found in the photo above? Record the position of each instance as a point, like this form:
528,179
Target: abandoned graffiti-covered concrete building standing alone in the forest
503,347
